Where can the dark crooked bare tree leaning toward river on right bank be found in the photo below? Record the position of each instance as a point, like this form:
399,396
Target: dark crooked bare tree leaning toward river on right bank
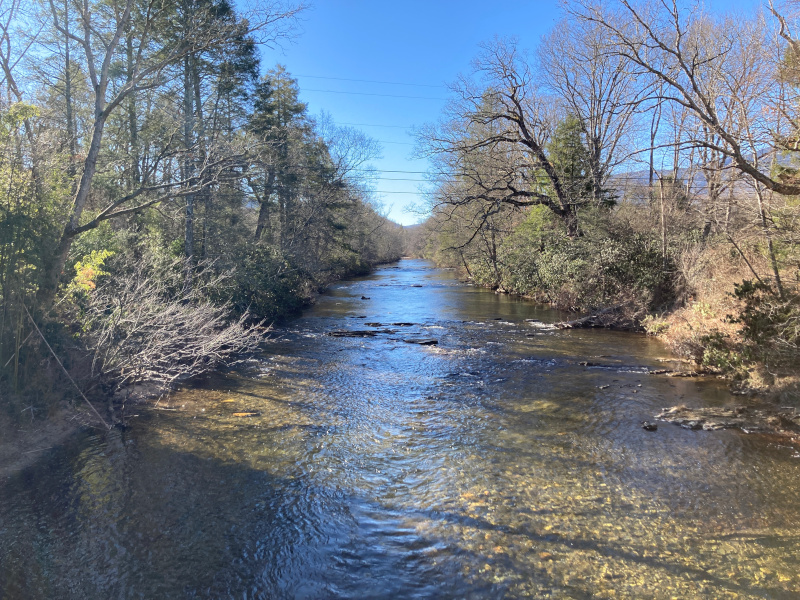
501,116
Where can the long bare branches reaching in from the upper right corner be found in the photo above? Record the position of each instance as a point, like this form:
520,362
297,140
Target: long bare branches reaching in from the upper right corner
718,70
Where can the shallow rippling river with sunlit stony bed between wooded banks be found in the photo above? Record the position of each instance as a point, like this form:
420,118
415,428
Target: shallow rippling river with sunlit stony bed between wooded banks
493,465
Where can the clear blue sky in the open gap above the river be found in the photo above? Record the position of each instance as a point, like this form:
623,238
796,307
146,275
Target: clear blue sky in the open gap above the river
403,54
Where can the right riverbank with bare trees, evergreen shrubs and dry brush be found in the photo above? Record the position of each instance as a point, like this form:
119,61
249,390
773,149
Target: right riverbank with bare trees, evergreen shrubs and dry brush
641,164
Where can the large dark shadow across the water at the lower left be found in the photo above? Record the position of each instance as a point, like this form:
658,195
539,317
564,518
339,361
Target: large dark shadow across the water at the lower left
155,522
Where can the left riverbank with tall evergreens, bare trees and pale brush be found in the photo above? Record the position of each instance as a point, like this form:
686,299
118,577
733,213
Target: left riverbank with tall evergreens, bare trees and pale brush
165,196
